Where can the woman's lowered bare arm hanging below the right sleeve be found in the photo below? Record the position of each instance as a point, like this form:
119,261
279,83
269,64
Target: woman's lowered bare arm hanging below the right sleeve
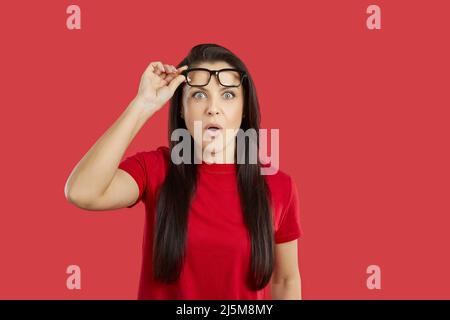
286,280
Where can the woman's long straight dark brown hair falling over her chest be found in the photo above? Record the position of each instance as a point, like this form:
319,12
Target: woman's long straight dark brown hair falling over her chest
175,194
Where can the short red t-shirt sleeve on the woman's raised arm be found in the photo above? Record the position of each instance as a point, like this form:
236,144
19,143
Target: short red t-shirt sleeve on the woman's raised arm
135,166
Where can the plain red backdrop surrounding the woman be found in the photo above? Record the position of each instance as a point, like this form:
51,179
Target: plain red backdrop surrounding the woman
363,118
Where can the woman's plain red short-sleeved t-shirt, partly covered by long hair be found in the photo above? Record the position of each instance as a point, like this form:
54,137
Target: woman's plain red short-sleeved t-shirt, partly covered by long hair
218,246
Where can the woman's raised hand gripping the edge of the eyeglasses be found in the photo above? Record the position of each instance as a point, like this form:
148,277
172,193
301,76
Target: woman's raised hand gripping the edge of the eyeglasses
158,84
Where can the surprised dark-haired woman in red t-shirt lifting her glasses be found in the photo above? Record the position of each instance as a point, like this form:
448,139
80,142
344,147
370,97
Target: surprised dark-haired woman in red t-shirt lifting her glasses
216,228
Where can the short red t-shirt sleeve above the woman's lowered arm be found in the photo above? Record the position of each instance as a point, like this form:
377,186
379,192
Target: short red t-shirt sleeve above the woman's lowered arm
290,228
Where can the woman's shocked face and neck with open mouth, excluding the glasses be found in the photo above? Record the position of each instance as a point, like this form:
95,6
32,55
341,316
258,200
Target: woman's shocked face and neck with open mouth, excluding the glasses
213,105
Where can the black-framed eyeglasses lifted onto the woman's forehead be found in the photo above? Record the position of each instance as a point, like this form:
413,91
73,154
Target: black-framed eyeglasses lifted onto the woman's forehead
200,77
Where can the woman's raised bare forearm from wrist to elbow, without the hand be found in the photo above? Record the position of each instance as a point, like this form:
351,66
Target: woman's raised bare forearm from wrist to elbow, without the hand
94,172
